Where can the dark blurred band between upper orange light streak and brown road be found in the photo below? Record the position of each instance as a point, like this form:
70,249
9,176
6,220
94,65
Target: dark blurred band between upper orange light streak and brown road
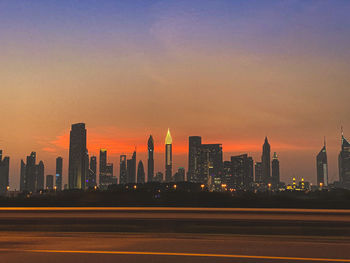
175,220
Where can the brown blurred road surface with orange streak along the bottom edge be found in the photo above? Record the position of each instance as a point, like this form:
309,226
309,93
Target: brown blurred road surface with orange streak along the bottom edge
115,247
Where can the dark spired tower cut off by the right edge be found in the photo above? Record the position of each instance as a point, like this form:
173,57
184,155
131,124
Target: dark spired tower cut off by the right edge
344,163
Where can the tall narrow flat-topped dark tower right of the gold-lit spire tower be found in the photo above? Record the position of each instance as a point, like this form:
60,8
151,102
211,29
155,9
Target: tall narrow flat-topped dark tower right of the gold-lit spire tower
194,144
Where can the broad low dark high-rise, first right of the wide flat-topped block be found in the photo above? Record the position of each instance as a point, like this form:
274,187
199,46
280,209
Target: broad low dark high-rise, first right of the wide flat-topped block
242,171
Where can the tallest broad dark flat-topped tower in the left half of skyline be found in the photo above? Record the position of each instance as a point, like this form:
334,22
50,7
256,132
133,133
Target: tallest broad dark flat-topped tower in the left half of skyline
78,157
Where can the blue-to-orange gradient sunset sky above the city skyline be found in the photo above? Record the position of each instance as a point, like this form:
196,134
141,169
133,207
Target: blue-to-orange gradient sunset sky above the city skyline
230,71
